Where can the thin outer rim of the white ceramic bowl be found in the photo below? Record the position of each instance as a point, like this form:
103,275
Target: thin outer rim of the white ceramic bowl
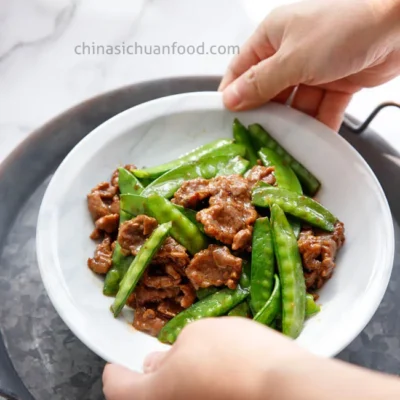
116,123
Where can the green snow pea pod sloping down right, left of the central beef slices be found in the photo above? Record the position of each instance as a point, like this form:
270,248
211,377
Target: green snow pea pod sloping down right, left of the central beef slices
183,230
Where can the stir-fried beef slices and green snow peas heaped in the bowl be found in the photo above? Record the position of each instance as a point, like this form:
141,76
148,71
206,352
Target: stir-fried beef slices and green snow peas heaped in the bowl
224,230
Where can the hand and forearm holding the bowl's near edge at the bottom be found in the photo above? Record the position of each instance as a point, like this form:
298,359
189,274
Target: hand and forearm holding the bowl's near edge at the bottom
235,358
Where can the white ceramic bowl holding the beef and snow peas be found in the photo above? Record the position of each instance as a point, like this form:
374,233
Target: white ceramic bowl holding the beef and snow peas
161,130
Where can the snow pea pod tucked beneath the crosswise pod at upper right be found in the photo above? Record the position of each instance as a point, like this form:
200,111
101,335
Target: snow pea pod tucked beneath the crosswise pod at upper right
285,178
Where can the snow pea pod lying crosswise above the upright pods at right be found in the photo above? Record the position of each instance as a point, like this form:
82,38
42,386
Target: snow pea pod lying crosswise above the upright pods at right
299,206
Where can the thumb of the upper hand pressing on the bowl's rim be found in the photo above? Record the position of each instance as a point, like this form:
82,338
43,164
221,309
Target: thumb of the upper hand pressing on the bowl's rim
261,83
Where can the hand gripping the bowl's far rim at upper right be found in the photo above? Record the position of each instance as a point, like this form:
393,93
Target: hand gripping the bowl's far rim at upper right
327,49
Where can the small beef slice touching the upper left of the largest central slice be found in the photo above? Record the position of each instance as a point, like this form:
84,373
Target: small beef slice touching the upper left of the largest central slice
193,192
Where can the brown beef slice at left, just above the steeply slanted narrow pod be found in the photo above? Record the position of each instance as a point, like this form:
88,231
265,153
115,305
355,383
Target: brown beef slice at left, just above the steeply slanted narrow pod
132,234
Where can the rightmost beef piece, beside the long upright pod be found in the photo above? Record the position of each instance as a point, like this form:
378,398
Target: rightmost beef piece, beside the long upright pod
318,250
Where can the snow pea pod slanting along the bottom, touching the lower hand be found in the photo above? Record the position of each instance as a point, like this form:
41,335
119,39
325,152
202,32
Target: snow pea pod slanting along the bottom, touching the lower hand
215,305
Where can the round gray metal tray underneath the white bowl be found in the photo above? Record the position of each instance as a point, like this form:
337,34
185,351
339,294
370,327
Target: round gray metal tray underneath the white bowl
40,357
